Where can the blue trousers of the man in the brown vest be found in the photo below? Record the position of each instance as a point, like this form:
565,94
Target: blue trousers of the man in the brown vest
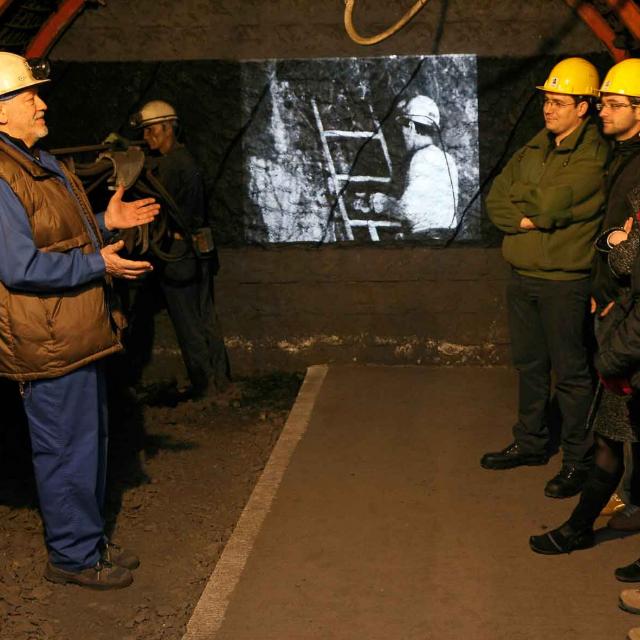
69,434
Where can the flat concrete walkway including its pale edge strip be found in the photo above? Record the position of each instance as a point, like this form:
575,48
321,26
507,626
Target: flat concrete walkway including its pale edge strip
374,520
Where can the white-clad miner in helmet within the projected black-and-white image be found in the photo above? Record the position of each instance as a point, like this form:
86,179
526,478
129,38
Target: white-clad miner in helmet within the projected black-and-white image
430,197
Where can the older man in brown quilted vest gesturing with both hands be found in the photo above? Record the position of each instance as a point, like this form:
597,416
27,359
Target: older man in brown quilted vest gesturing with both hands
55,272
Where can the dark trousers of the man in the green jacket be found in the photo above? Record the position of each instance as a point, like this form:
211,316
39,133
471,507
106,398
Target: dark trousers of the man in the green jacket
548,320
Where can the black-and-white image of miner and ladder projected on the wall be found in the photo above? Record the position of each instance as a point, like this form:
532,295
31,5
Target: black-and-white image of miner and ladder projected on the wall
364,149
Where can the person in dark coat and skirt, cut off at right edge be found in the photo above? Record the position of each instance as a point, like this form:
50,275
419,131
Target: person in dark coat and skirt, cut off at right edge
616,405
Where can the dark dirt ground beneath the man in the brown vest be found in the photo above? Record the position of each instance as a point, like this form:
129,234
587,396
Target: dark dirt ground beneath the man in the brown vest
180,474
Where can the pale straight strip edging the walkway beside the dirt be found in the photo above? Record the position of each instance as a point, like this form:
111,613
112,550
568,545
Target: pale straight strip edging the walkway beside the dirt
211,608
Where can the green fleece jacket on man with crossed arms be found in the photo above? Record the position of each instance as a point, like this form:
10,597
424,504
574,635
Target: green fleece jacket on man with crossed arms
561,189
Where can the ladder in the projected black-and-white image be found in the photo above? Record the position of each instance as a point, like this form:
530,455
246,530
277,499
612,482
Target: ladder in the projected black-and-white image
337,180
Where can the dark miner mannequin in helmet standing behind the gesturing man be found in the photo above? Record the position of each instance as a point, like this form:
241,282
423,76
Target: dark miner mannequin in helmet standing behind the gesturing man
186,283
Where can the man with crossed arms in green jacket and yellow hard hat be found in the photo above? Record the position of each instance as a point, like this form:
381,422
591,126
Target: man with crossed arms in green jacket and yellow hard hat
548,202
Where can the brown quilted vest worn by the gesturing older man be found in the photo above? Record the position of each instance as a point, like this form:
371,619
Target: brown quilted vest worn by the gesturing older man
46,335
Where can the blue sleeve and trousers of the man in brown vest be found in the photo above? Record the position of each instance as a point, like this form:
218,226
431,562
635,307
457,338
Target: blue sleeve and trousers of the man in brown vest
67,415
